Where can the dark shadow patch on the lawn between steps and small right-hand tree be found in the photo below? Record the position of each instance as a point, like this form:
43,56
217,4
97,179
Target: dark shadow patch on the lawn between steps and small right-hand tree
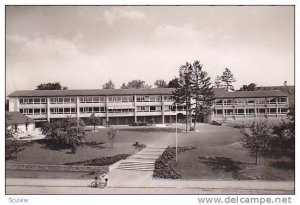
222,163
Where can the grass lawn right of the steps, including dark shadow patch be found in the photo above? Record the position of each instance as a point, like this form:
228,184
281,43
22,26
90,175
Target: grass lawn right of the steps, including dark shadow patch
230,163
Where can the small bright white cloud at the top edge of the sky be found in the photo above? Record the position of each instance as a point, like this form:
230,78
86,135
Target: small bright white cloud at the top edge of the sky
117,13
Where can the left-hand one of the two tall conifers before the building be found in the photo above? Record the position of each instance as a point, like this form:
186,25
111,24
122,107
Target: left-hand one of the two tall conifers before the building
183,93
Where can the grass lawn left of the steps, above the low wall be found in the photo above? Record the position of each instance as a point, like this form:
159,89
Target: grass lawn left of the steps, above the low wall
97,146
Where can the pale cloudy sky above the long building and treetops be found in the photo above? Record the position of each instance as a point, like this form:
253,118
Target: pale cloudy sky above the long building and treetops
82,47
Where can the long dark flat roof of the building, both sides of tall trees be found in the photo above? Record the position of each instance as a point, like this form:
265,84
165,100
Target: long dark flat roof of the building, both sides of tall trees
219,93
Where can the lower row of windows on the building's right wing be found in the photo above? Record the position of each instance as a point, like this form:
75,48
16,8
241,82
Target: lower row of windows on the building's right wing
251,111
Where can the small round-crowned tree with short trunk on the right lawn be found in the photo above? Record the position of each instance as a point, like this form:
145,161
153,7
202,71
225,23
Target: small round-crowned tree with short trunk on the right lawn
256,139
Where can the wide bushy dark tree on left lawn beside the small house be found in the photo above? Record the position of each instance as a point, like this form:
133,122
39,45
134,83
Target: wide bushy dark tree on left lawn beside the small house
65,133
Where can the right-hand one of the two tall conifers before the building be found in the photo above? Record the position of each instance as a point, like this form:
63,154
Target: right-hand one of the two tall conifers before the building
202,91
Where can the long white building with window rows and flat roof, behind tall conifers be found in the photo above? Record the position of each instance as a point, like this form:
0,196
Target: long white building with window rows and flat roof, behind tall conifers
125,106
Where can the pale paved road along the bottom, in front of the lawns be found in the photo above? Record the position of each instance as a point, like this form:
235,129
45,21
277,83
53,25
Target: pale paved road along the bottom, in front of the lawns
82,186
